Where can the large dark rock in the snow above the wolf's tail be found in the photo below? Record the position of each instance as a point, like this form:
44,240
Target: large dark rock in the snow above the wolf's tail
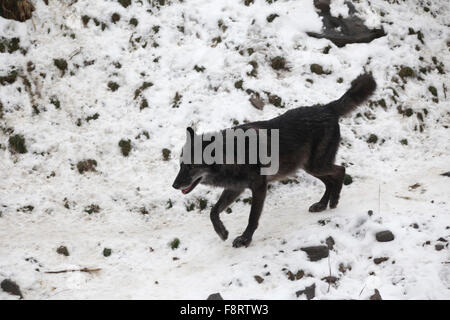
342,31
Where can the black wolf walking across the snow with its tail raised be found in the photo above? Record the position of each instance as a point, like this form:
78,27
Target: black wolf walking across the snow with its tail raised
308,139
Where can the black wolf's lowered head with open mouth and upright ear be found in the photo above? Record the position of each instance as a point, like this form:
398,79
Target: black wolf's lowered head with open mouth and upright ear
191,172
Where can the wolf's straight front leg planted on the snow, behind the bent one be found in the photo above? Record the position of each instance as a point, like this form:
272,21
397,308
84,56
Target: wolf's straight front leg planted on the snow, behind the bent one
259,190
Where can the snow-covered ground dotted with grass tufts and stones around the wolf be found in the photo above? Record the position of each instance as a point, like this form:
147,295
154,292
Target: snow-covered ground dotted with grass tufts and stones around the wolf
193,52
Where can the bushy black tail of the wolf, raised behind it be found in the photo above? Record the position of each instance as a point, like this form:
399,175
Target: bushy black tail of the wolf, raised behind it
361,89
